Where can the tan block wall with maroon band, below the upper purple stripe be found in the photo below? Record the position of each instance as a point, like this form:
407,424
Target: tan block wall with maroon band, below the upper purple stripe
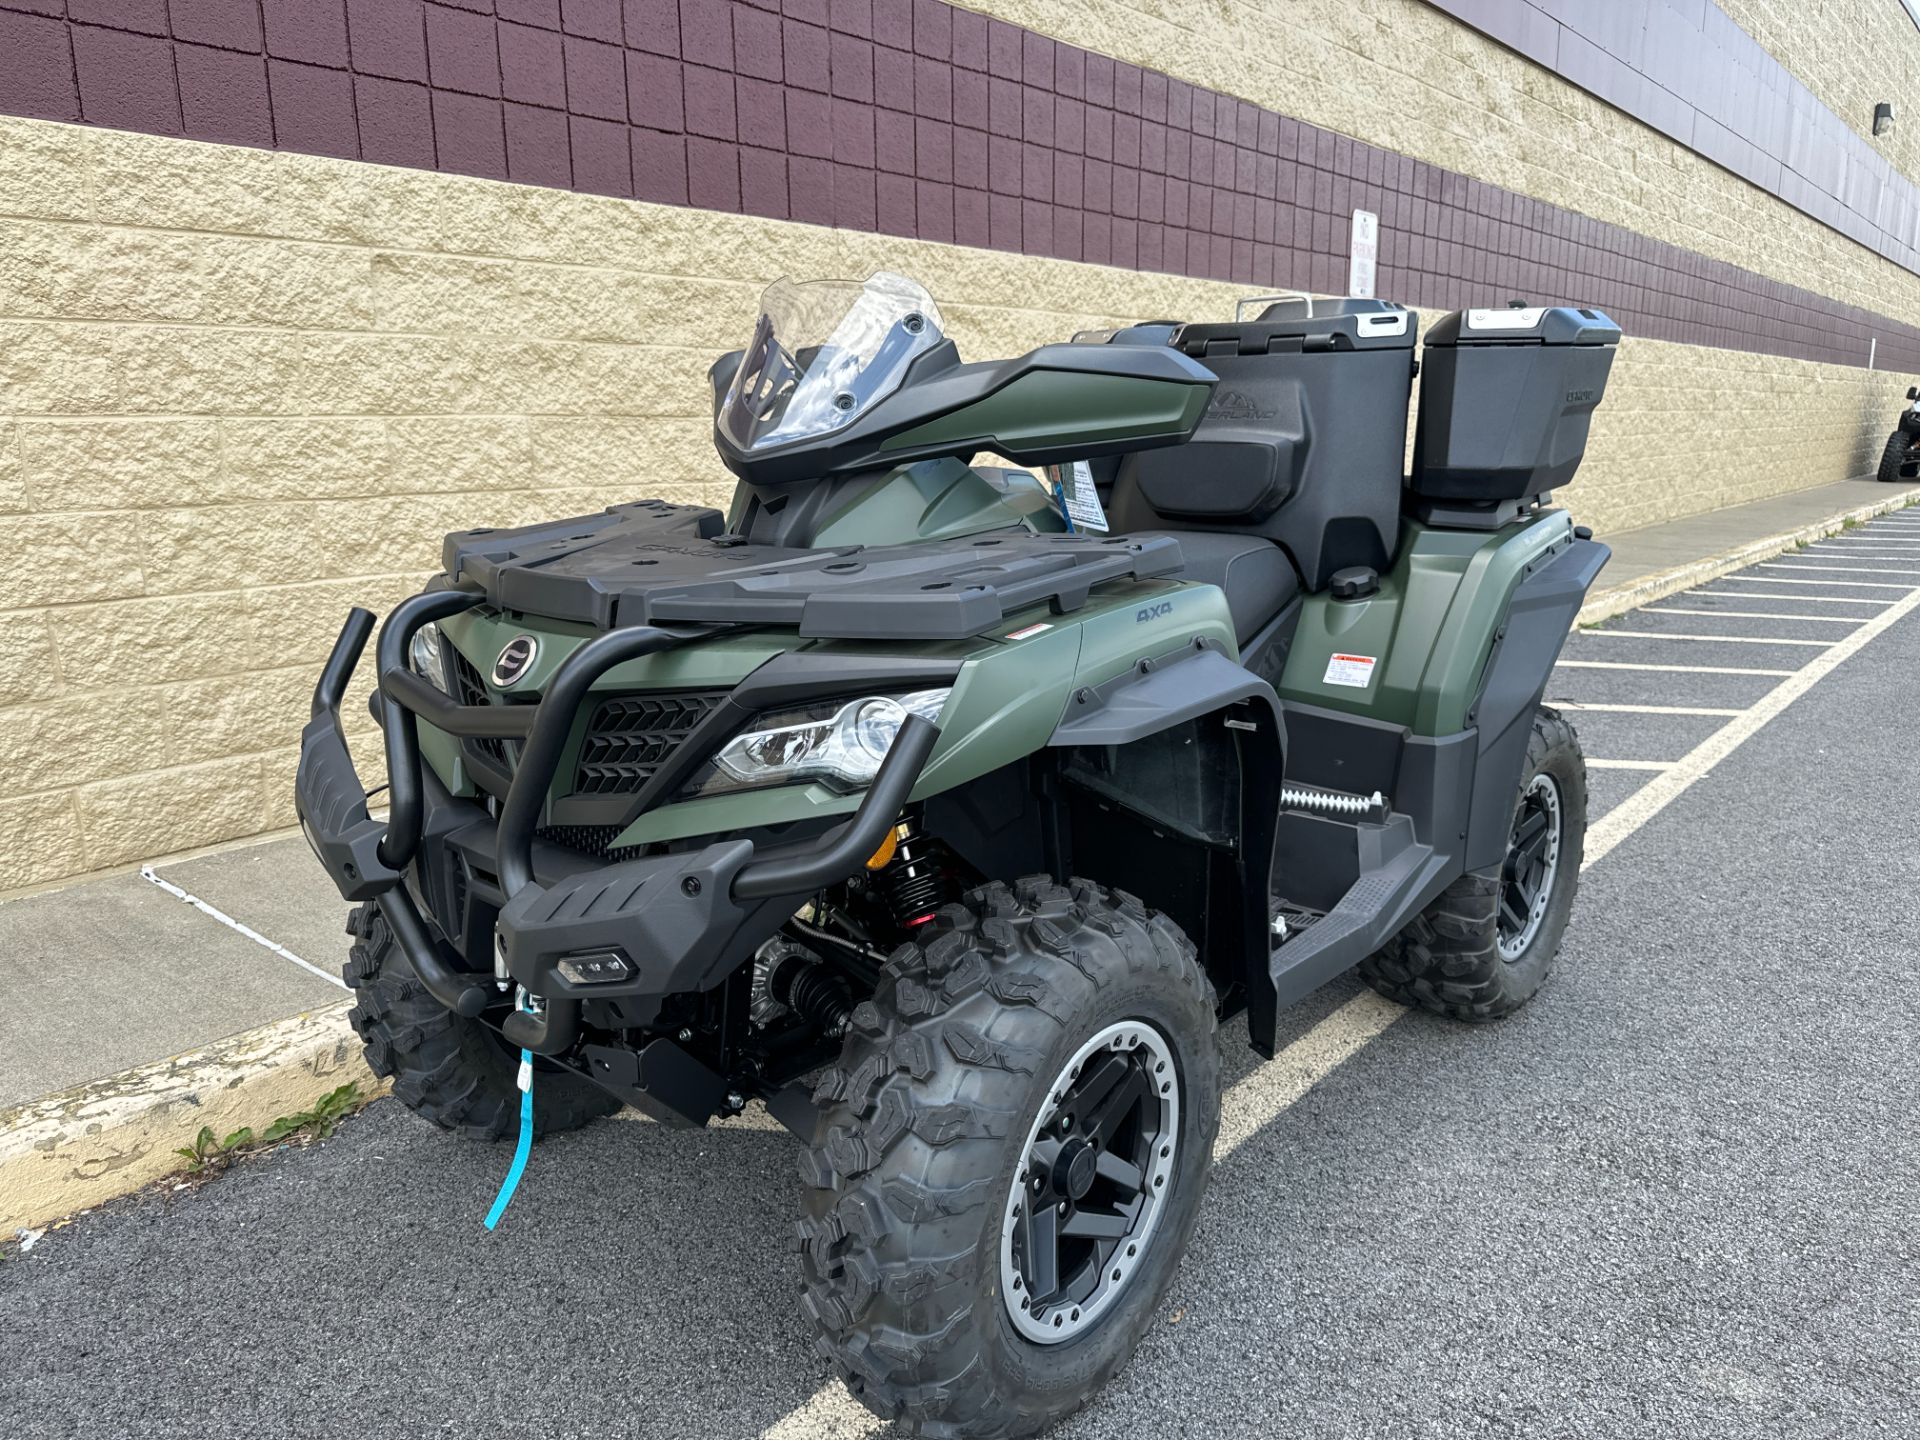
245,387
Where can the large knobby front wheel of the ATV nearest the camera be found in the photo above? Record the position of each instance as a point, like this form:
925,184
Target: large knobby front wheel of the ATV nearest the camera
949,1134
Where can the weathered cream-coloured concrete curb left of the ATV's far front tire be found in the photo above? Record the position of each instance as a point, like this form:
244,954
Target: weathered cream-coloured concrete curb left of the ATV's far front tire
105,1140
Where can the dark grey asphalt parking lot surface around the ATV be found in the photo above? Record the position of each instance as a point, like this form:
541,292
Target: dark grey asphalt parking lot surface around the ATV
1675,1197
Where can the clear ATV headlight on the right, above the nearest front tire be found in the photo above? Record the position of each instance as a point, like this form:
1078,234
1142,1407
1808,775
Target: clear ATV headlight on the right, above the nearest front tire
840,744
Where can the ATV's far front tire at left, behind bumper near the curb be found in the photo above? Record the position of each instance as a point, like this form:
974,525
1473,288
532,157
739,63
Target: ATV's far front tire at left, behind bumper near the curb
454,1070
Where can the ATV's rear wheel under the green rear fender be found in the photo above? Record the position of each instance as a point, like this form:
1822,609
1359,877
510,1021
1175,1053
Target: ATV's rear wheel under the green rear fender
1464,957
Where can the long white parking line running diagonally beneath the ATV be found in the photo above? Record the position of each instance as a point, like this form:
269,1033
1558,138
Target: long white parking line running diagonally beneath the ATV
832,1414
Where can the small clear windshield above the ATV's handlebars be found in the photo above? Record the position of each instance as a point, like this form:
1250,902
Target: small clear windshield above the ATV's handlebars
823,354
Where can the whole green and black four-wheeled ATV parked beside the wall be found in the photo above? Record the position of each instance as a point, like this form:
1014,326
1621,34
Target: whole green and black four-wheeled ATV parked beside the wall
946,809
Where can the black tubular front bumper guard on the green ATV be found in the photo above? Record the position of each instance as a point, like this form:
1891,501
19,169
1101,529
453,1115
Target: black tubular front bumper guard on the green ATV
658,926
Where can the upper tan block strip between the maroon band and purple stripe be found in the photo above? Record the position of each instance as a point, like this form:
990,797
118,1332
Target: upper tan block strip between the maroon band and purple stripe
1412,80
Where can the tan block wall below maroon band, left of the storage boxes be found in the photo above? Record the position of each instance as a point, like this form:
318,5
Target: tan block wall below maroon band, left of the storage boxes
245,391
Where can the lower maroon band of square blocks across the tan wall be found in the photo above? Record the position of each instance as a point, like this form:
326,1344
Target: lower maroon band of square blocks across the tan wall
898,116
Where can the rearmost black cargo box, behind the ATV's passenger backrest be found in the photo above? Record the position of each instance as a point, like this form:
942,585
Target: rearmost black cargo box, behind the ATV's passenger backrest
1506,402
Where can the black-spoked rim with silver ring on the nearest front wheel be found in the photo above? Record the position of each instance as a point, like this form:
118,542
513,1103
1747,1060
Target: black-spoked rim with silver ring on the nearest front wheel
1092,1184
